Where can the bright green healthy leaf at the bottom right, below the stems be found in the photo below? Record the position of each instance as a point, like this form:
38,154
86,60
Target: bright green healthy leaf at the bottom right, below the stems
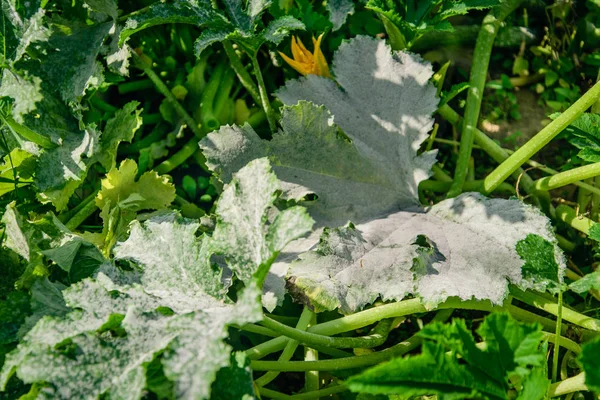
512,350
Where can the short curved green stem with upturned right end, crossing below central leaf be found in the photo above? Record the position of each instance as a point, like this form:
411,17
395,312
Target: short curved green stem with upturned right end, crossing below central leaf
377,338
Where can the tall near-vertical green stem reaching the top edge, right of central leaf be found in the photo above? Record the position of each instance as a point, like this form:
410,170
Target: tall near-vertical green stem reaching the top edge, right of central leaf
479,69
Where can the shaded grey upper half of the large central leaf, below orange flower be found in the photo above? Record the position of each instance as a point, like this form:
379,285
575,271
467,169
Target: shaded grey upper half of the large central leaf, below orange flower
384,107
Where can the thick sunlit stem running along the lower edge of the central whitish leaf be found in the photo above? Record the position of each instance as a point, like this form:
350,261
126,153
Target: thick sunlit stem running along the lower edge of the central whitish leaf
368,317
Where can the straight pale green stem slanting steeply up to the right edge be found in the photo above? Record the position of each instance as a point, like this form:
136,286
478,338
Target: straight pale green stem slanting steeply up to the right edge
541,139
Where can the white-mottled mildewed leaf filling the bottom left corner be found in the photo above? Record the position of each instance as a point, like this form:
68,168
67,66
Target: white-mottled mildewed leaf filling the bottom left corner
171,308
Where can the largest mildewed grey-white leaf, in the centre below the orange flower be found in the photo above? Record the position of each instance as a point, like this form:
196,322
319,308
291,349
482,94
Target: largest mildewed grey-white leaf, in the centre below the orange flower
364,173
